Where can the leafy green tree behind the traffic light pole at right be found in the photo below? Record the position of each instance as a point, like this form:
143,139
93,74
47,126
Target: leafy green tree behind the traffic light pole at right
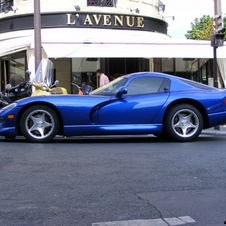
203,28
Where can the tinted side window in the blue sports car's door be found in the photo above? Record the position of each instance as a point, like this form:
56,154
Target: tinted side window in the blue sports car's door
146,85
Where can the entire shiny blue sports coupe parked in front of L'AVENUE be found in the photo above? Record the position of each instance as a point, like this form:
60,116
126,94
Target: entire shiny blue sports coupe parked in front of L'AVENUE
140,103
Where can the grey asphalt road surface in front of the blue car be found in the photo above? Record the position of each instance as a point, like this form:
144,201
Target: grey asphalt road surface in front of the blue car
122,181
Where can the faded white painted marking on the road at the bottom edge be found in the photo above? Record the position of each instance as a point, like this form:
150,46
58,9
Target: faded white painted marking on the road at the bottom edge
152,222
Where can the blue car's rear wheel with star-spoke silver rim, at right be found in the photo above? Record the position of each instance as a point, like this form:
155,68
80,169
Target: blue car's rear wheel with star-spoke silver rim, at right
183,123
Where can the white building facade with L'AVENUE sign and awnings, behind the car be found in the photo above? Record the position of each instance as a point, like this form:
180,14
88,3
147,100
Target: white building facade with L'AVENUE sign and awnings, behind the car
119,36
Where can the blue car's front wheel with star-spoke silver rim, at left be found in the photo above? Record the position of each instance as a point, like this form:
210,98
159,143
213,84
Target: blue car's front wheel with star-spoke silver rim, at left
39,124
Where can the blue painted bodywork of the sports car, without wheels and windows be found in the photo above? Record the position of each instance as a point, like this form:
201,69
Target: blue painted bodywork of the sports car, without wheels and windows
96,114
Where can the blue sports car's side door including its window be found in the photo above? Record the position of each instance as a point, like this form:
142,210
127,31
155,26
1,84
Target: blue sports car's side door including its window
145,98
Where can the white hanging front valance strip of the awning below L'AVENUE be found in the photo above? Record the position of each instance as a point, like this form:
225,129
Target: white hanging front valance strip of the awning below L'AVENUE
135,50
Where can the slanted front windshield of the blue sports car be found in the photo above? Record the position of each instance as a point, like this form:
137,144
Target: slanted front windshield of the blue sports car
111,88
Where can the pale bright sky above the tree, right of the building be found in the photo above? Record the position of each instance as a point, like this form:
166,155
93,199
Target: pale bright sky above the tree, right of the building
185,12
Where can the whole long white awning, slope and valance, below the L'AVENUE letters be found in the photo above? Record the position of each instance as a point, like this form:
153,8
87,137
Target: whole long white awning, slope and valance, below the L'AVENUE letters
99,43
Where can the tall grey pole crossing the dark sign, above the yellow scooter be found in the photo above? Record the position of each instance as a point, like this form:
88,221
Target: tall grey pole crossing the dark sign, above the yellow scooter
37,33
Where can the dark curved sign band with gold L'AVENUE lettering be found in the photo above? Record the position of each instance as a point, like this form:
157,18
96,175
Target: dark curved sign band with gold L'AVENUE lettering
82,19
